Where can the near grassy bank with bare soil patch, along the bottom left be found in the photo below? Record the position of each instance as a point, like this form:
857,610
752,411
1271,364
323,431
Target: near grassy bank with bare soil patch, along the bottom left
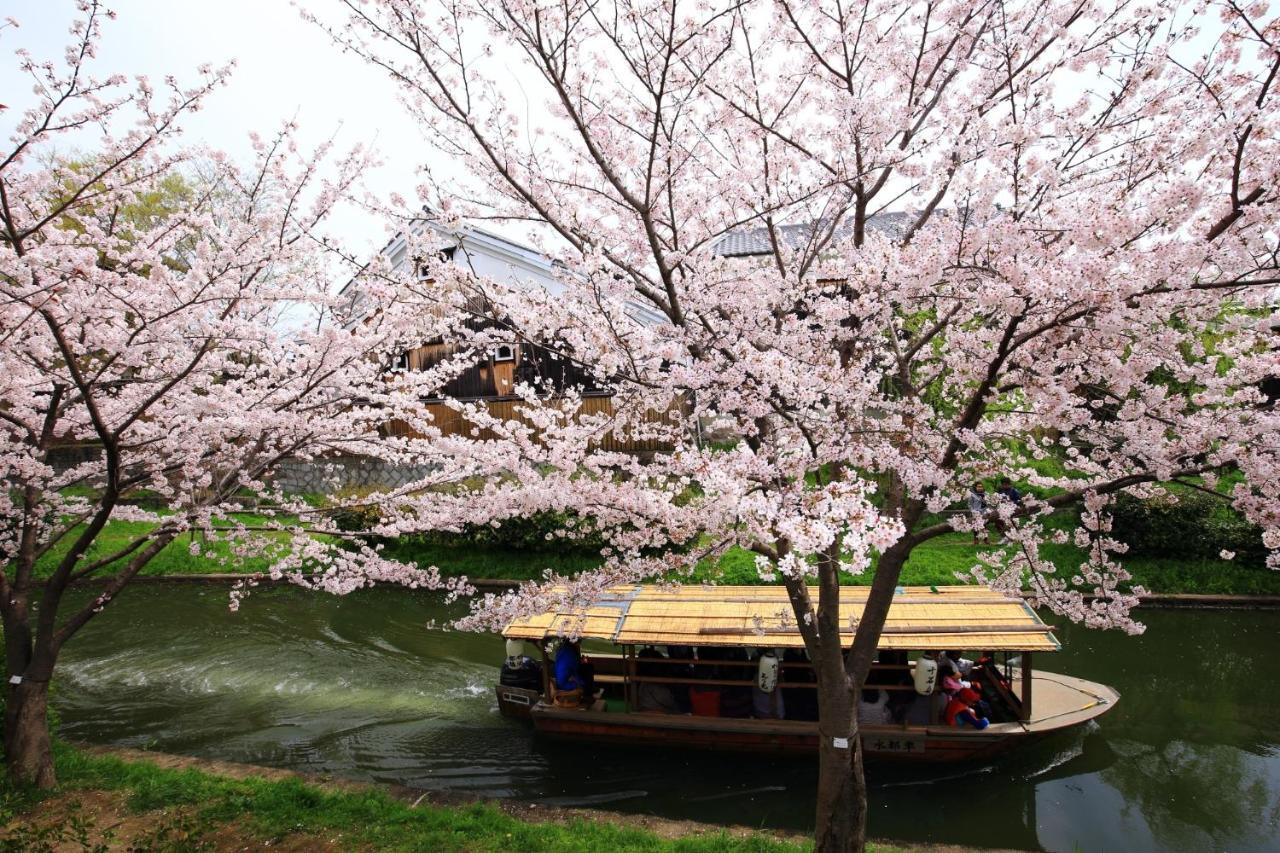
141,806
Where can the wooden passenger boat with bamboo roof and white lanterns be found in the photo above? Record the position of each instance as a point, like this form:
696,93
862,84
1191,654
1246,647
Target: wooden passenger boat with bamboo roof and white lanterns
1027,704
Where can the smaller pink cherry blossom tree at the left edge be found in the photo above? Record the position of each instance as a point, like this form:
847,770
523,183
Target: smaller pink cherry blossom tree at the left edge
167,314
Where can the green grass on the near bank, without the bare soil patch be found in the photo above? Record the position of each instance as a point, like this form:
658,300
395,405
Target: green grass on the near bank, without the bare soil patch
194,804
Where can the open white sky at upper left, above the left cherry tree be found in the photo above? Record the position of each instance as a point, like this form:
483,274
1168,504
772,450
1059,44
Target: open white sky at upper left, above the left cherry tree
286,69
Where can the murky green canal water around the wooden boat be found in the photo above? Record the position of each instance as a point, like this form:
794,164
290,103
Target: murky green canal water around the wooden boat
358,687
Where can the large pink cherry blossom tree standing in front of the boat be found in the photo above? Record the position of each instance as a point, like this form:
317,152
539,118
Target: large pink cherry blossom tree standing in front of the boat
1021,239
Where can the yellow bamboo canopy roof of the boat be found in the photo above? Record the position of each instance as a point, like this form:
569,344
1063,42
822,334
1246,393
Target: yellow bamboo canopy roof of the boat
921,618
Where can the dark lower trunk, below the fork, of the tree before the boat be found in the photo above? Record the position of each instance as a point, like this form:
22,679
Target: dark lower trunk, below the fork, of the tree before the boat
842,809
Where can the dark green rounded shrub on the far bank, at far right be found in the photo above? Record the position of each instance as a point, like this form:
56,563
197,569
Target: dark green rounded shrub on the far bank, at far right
1192,526
